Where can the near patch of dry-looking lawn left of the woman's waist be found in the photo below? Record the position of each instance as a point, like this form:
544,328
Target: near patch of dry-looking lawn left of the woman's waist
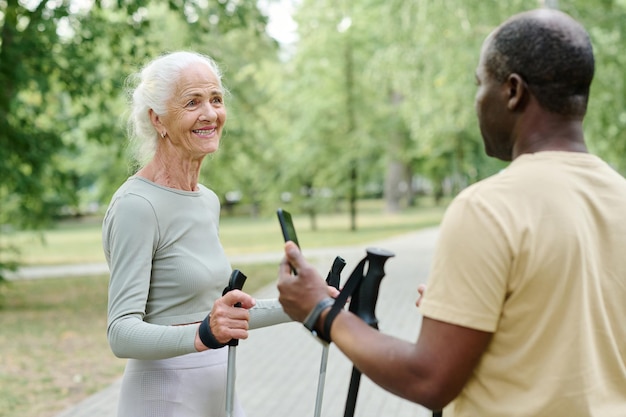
53,344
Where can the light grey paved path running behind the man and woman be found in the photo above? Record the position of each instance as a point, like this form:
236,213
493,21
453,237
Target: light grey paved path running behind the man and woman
277,367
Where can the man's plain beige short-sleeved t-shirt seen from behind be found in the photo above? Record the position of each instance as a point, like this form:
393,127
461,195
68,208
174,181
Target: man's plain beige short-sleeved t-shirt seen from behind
537,255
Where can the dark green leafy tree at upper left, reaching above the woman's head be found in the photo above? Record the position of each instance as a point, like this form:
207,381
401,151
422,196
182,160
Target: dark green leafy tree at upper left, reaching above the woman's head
62,100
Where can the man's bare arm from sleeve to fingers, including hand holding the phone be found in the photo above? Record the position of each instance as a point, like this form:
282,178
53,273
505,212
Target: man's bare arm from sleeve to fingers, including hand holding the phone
430,372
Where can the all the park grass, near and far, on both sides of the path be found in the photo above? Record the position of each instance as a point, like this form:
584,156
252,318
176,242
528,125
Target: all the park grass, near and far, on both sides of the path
53,344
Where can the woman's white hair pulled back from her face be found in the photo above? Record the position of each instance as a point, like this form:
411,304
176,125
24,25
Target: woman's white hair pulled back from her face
151,88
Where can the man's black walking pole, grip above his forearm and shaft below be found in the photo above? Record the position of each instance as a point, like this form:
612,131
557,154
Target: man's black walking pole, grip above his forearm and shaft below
363,304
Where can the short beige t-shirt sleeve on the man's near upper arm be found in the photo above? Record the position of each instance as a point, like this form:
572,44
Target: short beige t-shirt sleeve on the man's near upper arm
468,281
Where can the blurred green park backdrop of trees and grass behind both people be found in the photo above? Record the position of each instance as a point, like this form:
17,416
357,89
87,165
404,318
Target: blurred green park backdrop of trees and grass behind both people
357,116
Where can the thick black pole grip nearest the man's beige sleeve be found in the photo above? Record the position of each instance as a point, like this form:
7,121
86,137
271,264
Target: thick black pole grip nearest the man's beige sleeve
363,302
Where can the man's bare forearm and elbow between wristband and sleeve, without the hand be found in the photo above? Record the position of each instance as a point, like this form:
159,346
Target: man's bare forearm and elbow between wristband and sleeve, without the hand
430,372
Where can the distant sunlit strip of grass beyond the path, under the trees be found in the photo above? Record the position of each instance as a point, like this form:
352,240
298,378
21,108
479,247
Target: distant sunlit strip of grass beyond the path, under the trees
80,241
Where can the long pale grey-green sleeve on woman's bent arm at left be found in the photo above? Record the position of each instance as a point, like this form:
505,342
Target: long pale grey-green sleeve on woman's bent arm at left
130,238
